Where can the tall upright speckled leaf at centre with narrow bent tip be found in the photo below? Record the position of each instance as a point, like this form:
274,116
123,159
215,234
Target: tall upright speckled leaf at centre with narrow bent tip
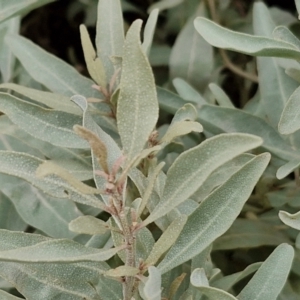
137,109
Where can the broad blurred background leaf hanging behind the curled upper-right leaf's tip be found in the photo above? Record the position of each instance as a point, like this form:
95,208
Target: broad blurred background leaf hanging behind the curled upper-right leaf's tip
193,63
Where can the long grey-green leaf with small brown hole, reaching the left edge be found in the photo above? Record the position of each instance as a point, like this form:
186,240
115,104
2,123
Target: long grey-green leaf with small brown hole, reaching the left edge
24,166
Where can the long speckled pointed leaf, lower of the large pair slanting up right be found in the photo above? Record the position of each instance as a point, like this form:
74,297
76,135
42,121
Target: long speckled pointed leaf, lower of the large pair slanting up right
215,214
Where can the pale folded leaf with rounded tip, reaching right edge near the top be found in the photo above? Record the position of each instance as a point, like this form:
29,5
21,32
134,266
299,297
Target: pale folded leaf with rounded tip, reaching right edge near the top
221,37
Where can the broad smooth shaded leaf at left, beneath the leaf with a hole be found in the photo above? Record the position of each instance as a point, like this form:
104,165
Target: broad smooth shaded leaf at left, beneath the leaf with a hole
48,214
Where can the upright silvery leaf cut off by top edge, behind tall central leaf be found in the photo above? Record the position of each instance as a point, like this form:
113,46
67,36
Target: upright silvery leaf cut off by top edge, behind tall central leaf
110,34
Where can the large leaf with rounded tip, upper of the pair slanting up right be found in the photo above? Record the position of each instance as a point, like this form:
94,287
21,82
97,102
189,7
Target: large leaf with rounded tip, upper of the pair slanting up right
194,166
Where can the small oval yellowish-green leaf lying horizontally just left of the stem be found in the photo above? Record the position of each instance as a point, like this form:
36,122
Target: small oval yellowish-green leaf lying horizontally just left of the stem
88,225
